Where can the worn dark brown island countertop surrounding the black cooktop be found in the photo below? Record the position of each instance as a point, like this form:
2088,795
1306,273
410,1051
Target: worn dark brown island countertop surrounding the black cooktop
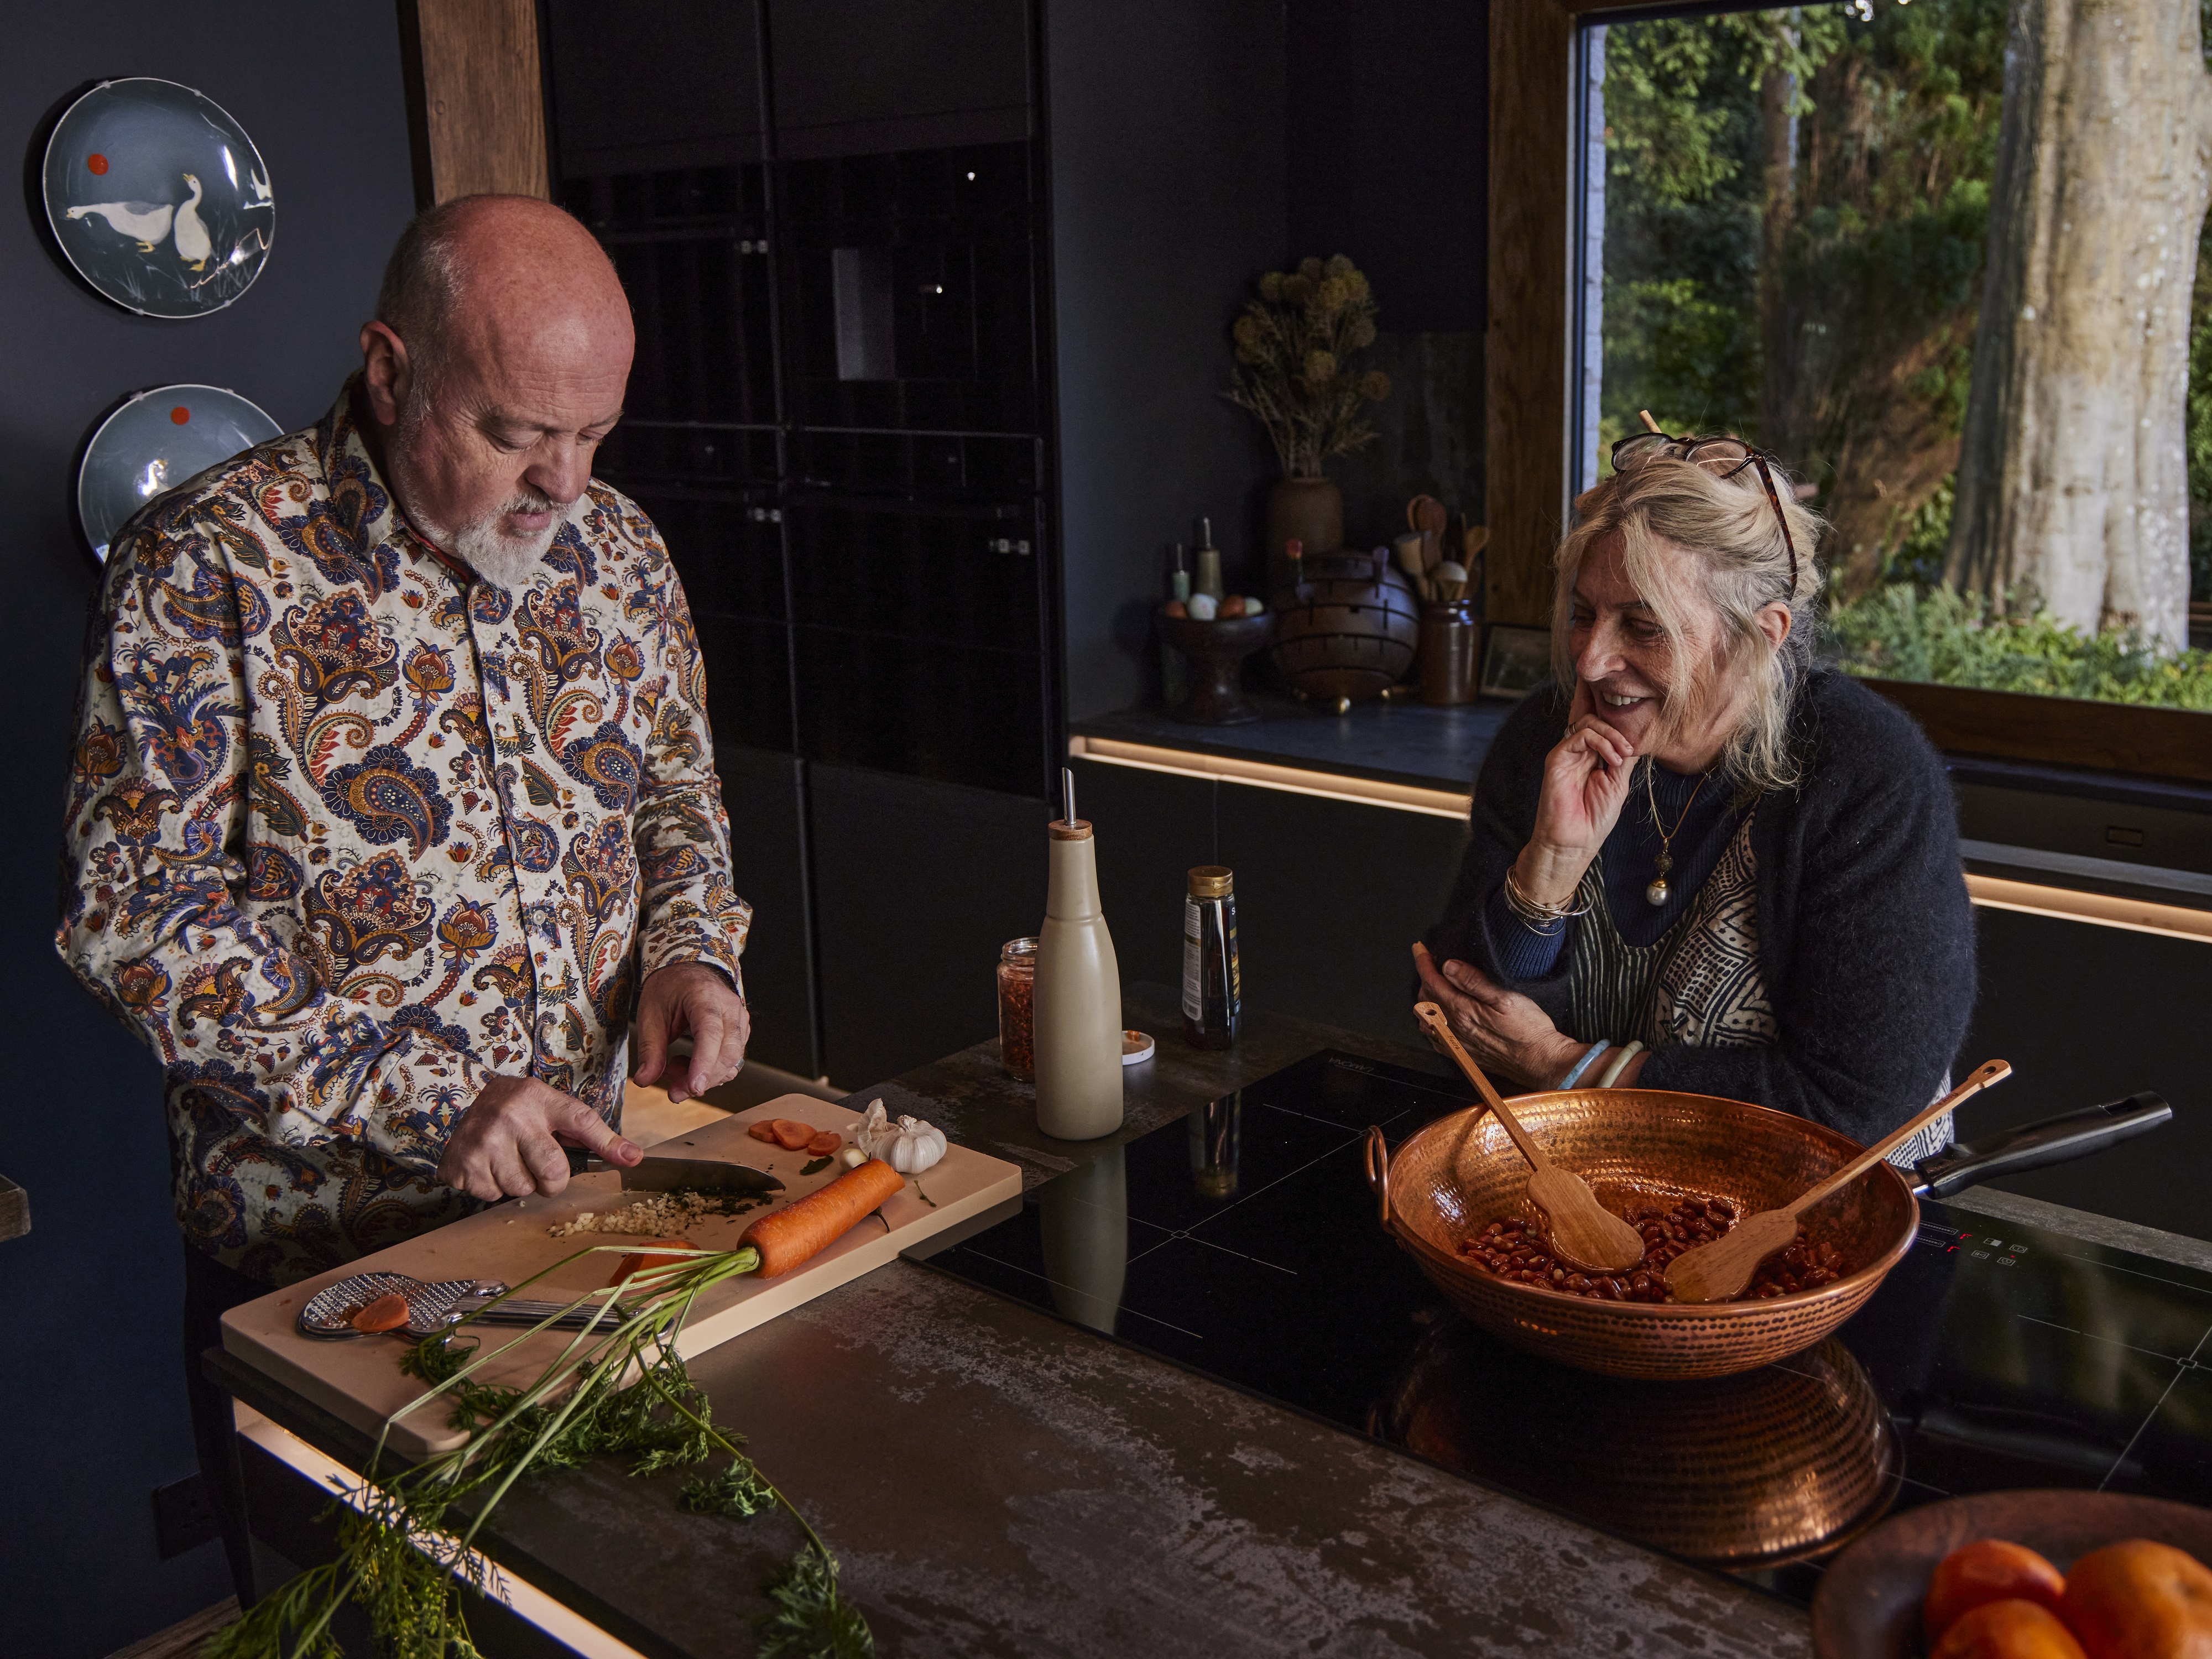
994,1481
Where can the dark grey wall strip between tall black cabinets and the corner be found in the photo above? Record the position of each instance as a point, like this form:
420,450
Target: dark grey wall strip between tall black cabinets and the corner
1169,198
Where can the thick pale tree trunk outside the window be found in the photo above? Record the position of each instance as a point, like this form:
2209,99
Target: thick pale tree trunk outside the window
2074,481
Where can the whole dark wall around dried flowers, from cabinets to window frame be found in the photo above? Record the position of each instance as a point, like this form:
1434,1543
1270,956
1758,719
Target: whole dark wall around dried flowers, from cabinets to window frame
1196,147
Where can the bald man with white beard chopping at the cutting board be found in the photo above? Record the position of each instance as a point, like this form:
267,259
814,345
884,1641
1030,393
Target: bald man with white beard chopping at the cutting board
395,802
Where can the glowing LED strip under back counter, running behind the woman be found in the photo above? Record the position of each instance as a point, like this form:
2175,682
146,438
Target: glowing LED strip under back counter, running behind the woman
2034,899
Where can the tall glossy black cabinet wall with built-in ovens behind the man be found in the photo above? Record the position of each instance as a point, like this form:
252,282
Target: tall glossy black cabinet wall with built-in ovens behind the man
826,220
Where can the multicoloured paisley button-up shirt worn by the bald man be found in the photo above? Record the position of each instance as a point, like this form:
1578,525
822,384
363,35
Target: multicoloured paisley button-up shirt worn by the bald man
351,833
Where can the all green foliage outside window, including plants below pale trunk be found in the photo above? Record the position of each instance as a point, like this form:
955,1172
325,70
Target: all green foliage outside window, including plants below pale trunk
1881,236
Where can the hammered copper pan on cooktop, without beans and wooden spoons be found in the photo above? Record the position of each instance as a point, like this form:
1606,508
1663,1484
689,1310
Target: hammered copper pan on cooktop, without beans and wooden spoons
1636,1147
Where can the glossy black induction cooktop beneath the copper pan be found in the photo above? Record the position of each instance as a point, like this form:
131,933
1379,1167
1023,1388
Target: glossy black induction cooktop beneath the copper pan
1242,1242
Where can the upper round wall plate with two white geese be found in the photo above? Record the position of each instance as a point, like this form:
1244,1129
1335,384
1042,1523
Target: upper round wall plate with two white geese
158,198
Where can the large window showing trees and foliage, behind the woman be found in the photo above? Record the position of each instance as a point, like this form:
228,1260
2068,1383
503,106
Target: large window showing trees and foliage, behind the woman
1788,231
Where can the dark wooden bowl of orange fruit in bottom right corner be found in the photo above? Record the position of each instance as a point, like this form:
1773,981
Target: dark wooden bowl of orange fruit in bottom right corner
2025,1576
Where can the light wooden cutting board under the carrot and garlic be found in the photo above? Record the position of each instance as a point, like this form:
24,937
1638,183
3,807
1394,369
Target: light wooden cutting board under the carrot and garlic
359,1377
